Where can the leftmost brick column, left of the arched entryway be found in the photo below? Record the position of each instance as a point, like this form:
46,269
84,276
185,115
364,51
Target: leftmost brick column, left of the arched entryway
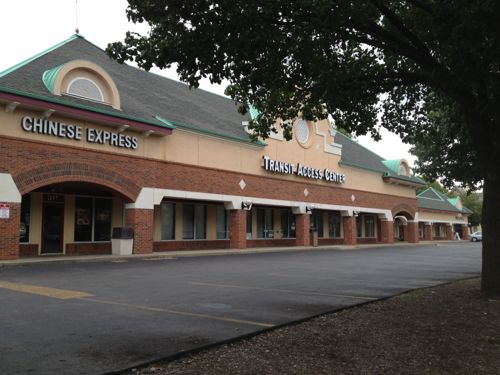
9,233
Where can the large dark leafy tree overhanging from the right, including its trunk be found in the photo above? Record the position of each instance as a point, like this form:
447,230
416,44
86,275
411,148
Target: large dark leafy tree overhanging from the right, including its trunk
356,61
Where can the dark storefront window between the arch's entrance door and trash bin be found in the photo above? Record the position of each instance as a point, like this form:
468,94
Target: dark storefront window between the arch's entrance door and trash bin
92,219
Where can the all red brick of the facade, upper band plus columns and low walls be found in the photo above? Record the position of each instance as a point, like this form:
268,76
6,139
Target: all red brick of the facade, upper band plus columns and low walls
38,164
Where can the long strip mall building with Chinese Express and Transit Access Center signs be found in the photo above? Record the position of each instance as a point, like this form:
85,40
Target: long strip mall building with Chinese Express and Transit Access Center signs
87,145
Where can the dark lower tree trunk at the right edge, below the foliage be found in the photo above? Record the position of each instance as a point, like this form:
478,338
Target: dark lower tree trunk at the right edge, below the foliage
490,277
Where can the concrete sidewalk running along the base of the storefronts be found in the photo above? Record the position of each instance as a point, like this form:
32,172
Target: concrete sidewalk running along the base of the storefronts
197,253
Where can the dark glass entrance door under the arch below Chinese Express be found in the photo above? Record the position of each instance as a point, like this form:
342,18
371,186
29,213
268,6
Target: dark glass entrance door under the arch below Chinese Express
52,228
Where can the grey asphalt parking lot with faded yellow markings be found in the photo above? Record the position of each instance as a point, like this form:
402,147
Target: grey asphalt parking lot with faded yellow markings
97,317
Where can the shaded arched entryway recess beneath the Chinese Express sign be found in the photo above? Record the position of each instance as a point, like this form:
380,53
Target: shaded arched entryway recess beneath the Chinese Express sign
72,217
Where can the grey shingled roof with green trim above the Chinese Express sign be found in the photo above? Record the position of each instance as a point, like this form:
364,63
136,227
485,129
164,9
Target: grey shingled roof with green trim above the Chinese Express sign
144,96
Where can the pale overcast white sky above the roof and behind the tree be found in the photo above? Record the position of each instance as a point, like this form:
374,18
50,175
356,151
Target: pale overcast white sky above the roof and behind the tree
31,26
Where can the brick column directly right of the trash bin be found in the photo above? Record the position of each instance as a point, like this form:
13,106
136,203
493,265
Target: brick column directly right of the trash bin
141,221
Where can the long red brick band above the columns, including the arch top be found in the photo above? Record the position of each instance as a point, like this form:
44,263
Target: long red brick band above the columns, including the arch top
38,164
